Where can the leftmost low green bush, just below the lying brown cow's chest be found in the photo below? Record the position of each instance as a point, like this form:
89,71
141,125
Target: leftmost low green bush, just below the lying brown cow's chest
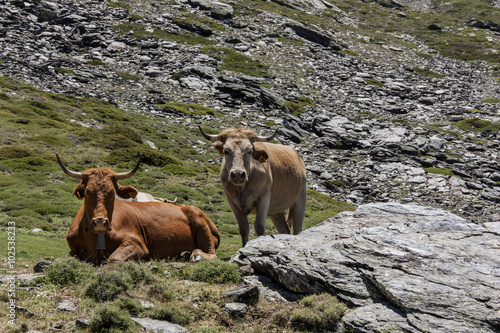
69,271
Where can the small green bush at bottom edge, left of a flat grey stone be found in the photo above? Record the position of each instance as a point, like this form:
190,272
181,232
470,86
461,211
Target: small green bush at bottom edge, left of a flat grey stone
109,318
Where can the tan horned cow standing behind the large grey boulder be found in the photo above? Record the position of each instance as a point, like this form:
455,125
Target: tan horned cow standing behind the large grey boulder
261,178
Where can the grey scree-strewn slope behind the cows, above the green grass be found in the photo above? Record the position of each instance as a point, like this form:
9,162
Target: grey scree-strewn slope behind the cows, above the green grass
367,116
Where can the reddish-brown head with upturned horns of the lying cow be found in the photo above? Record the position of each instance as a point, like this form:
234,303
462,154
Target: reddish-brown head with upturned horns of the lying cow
99,187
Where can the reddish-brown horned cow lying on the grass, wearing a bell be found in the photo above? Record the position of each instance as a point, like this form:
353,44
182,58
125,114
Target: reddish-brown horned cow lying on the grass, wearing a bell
134,230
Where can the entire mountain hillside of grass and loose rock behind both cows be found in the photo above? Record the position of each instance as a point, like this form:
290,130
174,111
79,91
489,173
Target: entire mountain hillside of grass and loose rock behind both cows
385,100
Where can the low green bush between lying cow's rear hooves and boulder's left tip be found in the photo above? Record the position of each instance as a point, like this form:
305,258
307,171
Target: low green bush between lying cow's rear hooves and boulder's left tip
216,271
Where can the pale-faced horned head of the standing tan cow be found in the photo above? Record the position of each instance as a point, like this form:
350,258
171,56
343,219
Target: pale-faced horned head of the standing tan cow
239,151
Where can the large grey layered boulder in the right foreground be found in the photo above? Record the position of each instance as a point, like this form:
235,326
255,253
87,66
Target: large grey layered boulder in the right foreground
405,268
